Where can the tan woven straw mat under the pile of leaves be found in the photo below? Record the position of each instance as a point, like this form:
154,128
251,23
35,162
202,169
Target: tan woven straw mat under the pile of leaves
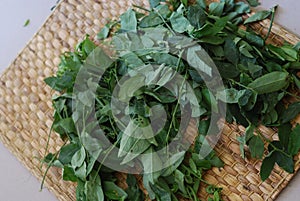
26,108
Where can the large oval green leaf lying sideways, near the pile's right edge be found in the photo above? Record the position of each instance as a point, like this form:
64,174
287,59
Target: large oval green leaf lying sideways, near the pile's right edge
270,82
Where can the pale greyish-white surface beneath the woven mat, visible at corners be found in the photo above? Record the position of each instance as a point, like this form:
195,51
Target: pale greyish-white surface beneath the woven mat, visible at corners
16,183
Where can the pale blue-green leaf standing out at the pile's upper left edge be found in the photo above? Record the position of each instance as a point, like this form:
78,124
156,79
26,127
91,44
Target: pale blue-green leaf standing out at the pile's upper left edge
129,21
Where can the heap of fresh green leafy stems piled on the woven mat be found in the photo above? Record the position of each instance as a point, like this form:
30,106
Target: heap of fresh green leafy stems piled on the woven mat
257,77
